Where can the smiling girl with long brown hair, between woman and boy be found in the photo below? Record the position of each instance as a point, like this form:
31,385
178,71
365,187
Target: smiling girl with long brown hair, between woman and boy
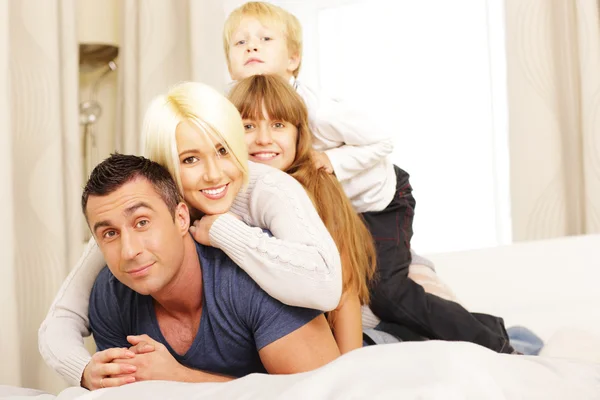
277,134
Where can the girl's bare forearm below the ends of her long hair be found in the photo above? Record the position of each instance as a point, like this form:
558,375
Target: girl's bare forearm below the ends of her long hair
347,323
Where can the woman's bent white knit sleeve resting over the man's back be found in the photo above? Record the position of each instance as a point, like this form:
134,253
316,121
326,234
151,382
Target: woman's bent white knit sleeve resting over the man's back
300,264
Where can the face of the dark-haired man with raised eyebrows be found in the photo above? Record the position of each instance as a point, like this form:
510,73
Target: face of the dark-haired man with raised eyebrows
142,245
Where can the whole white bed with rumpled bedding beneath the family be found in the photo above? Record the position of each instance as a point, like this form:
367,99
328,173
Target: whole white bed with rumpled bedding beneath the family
549,286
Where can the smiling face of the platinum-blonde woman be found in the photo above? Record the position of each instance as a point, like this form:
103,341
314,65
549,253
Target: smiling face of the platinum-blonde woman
209,176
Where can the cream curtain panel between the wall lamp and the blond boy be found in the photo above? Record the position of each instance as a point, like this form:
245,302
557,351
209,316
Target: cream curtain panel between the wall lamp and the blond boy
162,43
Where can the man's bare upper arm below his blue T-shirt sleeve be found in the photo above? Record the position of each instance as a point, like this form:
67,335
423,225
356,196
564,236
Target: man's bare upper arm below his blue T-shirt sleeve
308,347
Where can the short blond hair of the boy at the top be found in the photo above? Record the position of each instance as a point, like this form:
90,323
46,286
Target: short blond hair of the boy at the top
267,14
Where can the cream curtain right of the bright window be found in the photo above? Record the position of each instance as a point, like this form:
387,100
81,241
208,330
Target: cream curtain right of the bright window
553,50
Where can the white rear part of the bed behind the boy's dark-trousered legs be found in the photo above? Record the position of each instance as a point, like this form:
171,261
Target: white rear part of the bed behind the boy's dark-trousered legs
550,286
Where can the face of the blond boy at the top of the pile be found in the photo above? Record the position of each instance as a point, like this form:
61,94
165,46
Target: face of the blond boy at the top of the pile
256,49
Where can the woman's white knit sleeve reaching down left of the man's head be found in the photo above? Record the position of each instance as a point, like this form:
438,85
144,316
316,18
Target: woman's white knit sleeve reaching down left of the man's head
60,337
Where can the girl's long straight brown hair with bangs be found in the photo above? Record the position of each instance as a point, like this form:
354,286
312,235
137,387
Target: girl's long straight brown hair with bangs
353,239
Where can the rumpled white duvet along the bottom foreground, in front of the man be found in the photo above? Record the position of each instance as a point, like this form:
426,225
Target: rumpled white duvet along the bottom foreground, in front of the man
418,370
